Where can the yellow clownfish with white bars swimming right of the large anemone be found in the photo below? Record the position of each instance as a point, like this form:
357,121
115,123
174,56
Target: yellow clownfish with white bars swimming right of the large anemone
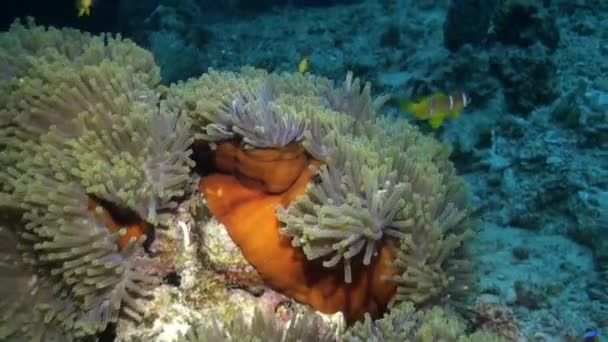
437,107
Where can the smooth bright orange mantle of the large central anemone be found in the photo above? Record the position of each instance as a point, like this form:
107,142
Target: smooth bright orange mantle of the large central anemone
243,195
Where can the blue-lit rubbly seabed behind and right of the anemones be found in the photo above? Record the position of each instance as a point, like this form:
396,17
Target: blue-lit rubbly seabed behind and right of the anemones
538,173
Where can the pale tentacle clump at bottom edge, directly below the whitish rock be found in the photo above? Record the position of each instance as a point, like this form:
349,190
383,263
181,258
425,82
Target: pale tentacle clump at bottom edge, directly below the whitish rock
262,327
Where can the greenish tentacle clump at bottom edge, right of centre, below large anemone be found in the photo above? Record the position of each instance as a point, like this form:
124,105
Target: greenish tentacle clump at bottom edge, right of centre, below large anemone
404,323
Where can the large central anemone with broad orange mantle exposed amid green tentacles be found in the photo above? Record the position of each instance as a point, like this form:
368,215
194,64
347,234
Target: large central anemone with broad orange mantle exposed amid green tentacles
365,190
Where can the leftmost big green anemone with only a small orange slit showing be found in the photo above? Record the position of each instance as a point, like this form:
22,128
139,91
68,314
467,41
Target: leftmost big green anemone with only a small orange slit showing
94,153
